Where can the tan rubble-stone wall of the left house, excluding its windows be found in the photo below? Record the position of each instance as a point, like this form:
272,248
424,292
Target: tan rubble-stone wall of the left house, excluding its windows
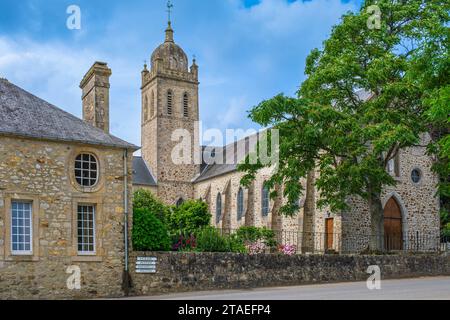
41,172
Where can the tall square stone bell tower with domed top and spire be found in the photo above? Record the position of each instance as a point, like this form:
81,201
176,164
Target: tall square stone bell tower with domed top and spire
170,107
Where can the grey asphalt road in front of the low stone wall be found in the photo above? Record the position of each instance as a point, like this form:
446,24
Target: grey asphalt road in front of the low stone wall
407,289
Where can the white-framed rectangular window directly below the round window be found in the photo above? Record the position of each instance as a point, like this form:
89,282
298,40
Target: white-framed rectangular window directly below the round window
86,229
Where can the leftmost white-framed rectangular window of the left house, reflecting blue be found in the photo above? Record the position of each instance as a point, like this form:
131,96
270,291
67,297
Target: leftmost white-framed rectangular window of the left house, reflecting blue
21,228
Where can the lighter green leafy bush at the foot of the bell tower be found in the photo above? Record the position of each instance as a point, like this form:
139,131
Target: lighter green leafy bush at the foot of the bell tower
189,217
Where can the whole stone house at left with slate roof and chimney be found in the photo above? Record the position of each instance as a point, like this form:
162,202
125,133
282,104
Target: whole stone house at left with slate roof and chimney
65,189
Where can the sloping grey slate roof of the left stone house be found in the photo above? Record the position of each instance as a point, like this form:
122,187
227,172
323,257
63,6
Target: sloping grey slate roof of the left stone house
24,115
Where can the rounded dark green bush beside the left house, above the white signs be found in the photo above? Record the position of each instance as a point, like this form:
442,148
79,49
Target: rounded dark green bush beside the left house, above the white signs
149,233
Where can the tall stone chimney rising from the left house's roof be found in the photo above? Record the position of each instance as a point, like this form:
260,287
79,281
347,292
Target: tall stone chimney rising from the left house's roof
95,86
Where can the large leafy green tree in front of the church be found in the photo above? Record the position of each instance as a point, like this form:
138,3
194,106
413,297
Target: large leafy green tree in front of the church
345,135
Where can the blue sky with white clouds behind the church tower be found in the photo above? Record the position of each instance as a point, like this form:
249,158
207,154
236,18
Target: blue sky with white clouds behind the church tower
247,50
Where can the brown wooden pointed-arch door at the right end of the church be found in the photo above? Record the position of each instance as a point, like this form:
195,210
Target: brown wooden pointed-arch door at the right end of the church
393,226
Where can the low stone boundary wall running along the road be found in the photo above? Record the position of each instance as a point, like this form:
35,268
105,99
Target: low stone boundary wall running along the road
178,272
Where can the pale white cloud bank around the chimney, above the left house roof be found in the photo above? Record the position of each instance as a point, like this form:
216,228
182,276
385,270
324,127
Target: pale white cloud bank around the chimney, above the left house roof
53,71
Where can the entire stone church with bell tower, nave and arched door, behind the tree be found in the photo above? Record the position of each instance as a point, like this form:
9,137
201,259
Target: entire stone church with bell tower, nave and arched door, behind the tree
170,100
